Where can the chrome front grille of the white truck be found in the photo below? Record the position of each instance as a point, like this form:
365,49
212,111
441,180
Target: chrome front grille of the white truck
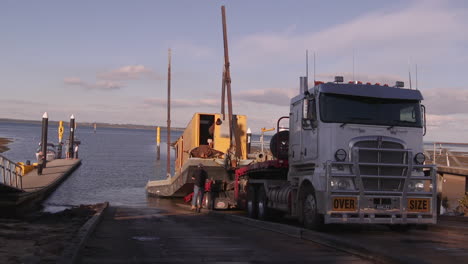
371,151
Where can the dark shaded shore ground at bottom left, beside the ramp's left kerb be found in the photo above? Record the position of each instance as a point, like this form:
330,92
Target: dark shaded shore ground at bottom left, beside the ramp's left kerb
41,237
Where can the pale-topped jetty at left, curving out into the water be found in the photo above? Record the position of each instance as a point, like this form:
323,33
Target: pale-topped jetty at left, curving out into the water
23,192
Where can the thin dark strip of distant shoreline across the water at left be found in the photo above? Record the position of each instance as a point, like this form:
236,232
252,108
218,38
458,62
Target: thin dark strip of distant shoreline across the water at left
87,124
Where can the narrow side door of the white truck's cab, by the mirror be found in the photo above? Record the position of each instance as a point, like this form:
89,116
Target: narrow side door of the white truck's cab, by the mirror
309,130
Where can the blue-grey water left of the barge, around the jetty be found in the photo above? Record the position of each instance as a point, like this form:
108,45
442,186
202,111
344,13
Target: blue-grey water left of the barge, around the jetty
116,163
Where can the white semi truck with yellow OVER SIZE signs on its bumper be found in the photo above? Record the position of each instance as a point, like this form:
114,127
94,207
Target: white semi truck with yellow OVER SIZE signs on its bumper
353,154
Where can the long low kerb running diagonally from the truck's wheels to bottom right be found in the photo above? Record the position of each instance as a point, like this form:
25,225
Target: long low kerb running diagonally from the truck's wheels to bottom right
373,254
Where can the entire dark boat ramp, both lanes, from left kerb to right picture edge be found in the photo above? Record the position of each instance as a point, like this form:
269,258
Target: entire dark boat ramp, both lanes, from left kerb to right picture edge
168,232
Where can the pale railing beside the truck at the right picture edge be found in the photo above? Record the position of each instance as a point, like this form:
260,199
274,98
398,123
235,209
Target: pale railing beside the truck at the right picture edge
445,154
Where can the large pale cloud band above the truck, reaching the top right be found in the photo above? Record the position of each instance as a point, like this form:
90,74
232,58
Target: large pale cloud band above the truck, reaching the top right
420,29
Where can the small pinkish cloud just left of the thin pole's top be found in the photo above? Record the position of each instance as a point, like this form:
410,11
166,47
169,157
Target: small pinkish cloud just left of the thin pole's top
130,72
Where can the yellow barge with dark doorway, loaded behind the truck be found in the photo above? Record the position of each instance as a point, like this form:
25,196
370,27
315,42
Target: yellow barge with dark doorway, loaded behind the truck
205,140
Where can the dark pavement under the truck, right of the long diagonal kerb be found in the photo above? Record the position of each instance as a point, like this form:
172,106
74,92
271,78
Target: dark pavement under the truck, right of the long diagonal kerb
446,242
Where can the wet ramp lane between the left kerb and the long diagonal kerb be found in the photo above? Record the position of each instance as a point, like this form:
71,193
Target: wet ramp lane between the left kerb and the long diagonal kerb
169,233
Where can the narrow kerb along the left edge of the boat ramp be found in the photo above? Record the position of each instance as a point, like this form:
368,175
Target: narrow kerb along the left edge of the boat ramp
72,249
